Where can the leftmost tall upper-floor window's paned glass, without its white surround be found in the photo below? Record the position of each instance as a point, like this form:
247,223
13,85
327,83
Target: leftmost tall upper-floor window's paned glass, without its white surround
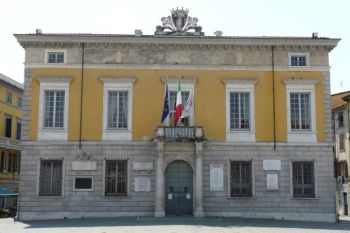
54,109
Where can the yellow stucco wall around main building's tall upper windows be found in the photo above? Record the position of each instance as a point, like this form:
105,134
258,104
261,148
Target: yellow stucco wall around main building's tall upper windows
148,94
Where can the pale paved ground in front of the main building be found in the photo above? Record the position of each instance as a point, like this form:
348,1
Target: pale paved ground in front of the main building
171,225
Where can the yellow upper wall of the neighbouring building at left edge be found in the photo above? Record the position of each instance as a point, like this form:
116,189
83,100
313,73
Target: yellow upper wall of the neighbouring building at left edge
7,109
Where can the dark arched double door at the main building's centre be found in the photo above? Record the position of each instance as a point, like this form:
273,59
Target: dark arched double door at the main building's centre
179,188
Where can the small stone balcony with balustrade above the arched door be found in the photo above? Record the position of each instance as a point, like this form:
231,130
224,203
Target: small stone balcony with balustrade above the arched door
179,134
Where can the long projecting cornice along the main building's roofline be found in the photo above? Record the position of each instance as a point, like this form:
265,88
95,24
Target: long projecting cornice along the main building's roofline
33,40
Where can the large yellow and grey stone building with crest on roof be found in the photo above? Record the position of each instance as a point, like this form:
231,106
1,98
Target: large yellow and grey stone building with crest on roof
256,142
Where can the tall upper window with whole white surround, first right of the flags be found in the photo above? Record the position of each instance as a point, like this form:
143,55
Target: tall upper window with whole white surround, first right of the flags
240,112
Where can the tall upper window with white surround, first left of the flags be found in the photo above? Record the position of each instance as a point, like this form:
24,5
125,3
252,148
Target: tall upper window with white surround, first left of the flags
117,108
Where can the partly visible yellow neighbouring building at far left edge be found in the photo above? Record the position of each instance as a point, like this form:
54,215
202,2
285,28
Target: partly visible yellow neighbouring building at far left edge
11,96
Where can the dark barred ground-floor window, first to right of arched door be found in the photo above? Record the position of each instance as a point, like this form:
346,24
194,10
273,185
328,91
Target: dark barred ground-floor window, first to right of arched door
241,179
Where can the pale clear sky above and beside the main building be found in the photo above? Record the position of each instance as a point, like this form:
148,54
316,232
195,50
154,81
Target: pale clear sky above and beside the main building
330,18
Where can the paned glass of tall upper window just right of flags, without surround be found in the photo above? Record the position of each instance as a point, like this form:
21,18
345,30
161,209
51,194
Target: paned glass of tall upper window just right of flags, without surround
239,110
